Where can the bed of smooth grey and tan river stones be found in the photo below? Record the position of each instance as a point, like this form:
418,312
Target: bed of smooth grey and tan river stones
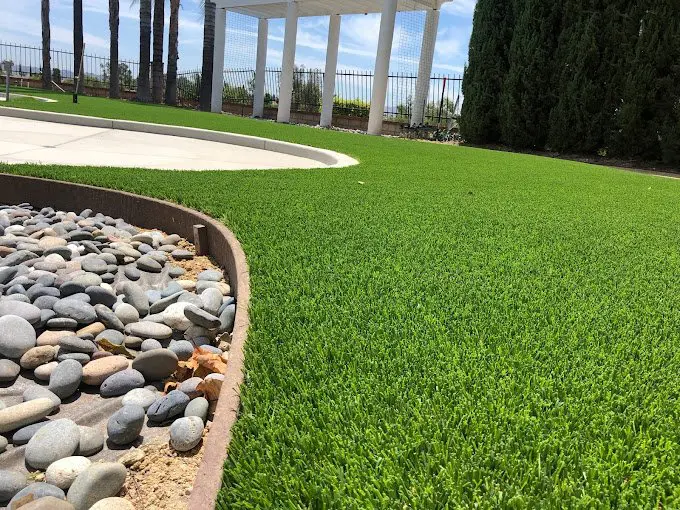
113,345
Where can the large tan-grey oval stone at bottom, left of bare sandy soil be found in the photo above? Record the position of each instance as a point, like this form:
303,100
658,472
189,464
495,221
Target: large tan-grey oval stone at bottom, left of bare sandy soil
99,481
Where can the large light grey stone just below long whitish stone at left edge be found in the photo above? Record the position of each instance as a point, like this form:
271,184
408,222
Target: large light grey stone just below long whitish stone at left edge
54,441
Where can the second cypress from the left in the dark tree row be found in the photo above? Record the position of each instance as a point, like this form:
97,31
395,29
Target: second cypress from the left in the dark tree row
528,90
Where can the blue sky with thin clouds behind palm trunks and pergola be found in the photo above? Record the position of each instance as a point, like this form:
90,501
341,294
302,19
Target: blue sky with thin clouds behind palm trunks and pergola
20,23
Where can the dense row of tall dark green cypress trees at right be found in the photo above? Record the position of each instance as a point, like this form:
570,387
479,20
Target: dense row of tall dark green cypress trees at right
586,76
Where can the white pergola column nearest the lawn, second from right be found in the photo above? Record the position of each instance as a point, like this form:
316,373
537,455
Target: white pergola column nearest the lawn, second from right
382,67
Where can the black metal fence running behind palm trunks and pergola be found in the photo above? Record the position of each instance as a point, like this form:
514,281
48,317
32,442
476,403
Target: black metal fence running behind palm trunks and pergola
352,88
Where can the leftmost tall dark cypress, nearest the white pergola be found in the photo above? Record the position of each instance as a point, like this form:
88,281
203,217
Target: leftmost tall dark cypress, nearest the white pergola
487,66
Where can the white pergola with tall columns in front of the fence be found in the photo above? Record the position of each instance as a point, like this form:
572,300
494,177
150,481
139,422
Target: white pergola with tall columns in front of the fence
291,10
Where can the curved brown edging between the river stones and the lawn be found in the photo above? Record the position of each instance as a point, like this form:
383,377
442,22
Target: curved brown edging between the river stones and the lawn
222,246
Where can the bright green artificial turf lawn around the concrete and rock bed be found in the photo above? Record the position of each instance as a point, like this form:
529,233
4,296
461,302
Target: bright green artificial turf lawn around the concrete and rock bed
464,328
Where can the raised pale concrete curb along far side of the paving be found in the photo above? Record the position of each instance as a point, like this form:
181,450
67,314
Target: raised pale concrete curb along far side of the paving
328,158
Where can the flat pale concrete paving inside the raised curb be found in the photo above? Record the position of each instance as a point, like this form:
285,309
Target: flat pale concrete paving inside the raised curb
31,141
